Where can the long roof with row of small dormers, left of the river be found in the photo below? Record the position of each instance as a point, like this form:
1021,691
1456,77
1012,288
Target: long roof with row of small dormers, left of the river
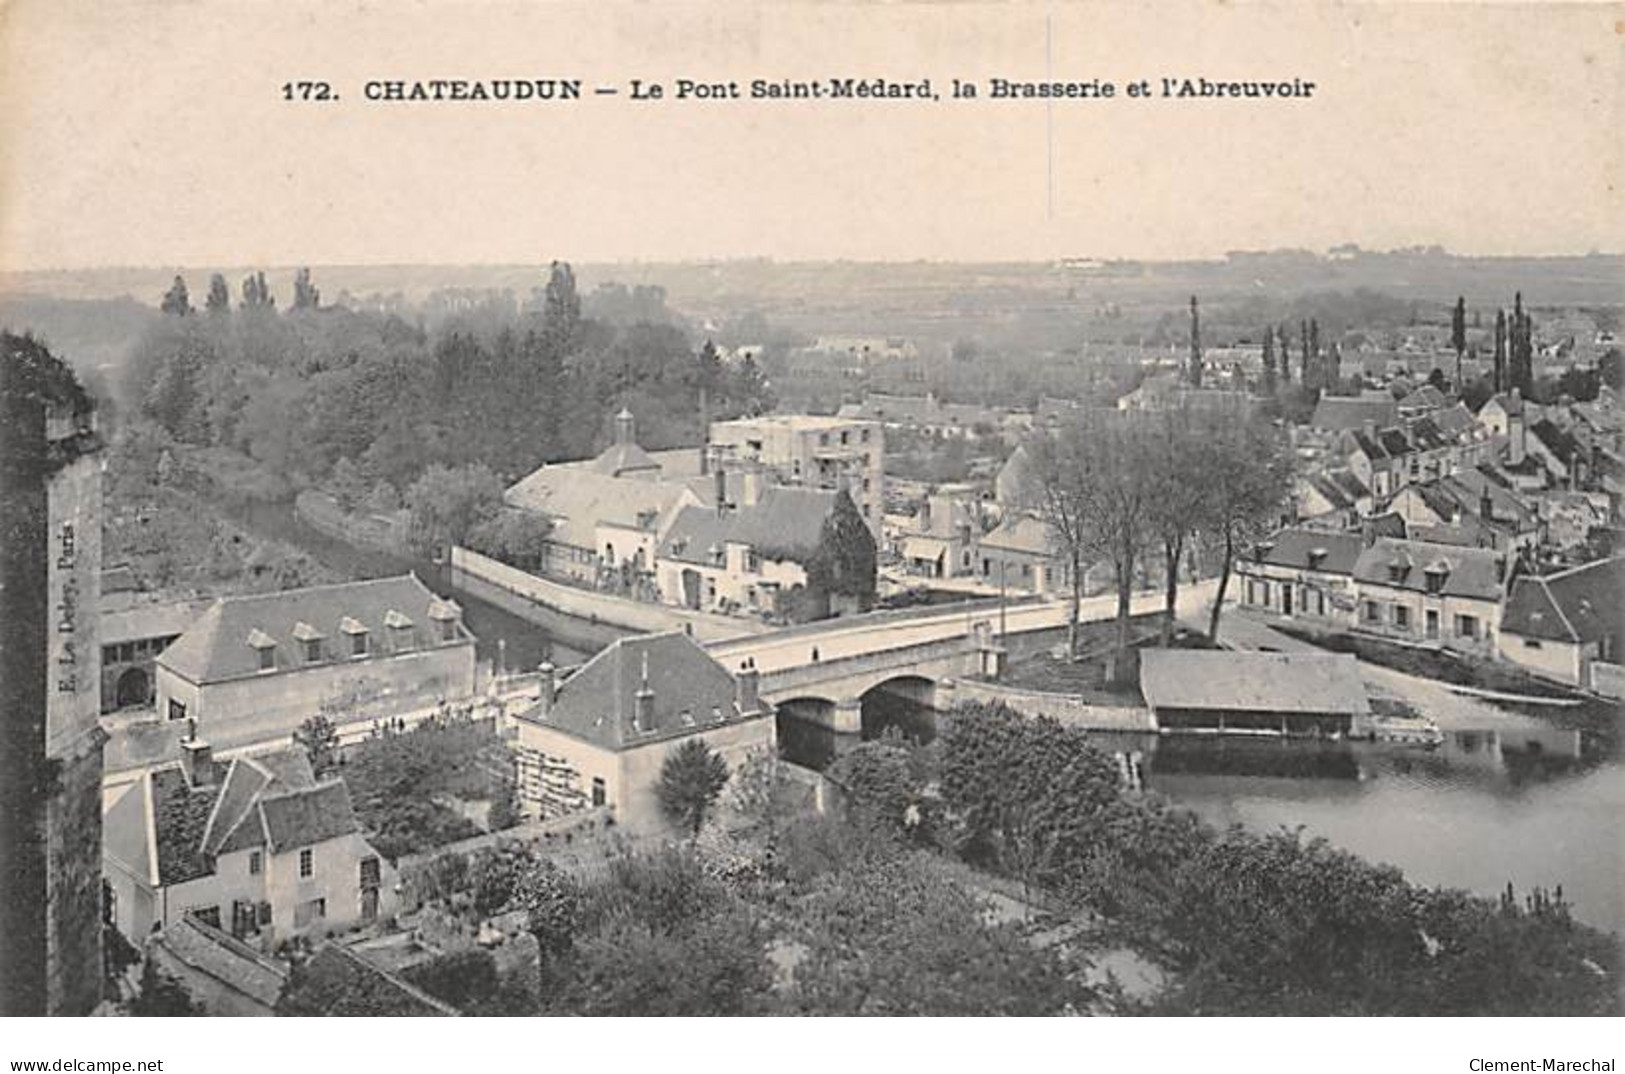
217,646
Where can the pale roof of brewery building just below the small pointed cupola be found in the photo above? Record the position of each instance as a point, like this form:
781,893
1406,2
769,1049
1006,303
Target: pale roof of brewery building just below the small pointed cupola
578,500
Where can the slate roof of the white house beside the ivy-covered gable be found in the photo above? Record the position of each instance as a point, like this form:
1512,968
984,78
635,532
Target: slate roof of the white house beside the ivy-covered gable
784,524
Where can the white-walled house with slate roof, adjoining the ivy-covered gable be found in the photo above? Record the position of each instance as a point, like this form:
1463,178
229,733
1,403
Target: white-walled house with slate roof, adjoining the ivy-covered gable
747,558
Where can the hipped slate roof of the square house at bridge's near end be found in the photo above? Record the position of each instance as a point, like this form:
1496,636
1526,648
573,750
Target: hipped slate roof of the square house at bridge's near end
597,703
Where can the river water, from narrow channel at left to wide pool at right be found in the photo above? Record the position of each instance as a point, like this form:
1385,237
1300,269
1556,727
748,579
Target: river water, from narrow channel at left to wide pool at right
1523,805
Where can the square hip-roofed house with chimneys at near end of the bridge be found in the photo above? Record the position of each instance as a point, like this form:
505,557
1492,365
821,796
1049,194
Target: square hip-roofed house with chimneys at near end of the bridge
599,737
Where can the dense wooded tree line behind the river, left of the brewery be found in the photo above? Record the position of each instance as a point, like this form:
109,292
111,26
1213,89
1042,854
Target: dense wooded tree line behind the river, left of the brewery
500,384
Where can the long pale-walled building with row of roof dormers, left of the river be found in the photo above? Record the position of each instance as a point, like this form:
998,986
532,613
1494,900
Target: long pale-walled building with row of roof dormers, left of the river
254,669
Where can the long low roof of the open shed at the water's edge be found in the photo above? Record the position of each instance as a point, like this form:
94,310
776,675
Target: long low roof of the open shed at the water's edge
1234,682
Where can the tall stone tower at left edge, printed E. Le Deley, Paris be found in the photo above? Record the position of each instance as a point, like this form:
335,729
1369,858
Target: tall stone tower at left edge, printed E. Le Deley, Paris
51,743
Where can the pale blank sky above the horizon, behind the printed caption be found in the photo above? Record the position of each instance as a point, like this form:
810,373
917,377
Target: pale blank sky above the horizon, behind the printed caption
155,132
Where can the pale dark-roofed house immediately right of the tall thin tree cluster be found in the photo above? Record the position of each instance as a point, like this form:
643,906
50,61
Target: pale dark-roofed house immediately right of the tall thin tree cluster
1304,574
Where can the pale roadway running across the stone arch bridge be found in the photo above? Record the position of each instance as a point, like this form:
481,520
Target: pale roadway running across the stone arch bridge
885,631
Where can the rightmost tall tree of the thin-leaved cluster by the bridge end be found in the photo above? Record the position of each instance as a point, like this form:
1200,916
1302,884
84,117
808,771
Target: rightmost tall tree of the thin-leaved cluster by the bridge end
1247,477
